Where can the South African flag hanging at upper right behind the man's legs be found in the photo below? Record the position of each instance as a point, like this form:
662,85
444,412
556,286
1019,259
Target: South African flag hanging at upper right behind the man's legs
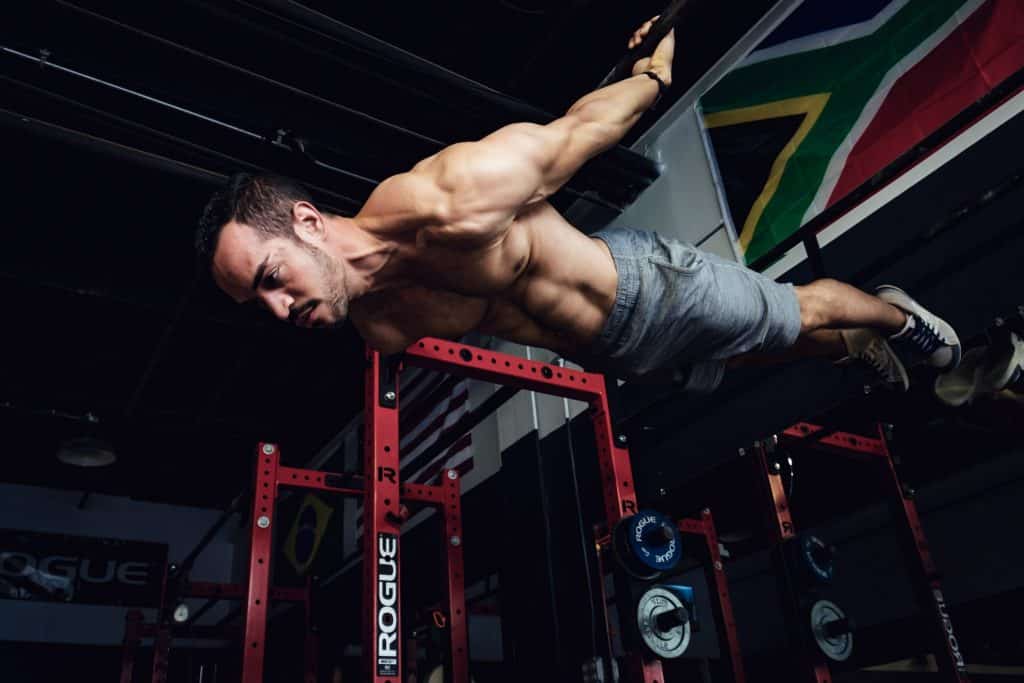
839,92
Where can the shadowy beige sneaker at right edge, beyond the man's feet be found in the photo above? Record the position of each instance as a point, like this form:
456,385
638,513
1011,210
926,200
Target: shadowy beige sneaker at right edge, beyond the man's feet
986,371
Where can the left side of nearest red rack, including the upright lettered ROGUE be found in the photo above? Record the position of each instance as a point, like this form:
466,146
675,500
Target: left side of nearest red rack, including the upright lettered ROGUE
383,495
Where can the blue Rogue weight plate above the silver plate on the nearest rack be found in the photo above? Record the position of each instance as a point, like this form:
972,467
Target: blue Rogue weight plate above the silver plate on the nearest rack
648,544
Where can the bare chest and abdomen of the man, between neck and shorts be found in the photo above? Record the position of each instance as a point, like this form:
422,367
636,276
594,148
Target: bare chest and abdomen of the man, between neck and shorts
544,284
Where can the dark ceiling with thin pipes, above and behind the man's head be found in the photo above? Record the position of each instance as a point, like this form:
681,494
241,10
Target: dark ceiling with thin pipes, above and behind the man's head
120,117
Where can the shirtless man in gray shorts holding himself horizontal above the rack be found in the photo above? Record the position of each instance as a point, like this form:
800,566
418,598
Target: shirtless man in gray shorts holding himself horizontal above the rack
465,241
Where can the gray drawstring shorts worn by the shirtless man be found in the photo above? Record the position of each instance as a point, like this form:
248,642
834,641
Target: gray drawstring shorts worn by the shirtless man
685,312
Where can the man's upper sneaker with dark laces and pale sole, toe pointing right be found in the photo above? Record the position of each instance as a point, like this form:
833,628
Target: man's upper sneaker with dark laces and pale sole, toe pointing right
926,337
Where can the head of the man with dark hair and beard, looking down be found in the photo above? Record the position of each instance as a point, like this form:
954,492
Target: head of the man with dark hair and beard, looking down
265,241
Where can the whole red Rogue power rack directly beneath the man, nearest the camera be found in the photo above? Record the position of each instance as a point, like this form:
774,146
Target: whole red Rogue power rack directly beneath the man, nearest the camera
385,495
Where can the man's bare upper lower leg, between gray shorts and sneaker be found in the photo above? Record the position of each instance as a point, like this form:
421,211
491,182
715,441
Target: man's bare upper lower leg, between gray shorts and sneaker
835,306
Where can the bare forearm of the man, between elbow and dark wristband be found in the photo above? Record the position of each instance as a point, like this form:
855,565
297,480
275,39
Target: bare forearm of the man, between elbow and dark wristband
609,114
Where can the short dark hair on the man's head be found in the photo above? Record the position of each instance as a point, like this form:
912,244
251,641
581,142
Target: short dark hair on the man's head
262,201
